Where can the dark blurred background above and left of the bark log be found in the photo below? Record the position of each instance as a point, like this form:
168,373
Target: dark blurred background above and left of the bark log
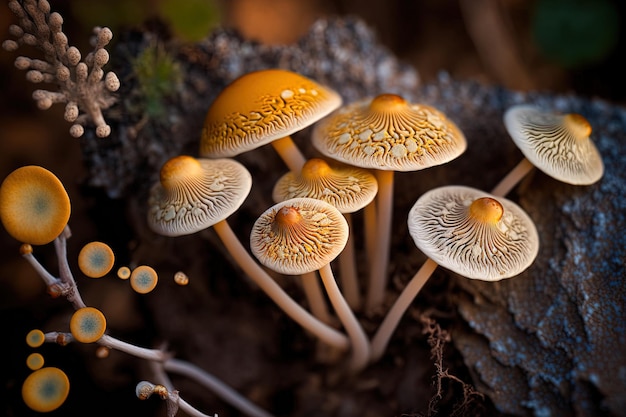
563,46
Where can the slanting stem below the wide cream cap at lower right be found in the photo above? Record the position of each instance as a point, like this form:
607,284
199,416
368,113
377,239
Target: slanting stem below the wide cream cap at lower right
389,324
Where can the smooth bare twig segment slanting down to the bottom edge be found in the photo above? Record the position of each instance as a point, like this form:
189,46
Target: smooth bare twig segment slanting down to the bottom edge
218,387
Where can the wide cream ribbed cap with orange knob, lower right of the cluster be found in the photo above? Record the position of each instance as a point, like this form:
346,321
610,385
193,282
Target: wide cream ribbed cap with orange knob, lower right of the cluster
472,233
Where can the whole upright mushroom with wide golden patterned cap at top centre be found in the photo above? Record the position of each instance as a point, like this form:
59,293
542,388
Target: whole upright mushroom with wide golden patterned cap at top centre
387,134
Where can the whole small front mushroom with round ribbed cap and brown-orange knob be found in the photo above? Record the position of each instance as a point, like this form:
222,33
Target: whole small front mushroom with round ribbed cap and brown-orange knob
303,235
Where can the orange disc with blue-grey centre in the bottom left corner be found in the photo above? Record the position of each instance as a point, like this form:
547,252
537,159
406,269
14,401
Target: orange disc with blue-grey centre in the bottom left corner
45,389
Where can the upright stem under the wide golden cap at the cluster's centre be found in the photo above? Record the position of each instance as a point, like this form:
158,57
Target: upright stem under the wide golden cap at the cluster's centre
380,258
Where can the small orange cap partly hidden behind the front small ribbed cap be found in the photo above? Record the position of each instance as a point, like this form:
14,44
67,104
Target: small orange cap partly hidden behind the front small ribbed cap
346,187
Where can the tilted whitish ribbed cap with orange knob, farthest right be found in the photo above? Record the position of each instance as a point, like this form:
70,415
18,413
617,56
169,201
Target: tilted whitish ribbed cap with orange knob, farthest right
557,144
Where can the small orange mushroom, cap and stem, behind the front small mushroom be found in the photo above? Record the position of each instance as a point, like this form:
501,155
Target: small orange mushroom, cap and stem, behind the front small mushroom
346,187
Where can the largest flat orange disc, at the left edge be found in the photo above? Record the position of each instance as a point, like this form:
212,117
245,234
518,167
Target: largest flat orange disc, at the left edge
34,206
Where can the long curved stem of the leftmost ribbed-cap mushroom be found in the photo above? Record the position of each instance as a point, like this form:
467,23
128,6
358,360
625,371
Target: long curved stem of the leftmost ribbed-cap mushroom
275,292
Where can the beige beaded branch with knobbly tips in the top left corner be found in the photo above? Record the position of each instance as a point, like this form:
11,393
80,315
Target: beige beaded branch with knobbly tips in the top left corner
82,85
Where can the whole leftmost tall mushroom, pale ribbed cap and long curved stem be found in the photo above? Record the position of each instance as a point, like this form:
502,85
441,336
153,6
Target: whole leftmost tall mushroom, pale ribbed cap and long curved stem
194,194
